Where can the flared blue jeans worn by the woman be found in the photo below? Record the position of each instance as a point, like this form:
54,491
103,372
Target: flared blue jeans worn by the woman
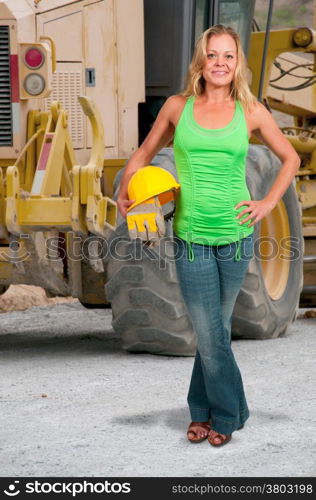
210,286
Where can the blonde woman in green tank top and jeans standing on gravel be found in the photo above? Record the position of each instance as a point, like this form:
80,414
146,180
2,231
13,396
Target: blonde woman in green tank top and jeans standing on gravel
210,124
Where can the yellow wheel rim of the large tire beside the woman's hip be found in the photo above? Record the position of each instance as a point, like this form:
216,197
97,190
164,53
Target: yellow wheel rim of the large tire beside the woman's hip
275,250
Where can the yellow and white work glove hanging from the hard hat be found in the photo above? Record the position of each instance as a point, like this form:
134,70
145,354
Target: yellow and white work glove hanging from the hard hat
146,221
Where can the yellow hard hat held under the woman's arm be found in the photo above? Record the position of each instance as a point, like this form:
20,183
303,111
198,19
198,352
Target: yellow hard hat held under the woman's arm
151,181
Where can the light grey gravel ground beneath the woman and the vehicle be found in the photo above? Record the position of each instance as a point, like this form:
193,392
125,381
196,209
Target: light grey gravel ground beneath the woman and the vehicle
73,403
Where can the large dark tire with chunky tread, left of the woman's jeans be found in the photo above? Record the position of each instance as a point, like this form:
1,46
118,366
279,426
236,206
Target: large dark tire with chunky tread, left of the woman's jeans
147,306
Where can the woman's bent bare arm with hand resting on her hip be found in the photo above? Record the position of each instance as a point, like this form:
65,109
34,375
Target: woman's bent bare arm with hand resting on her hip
265,128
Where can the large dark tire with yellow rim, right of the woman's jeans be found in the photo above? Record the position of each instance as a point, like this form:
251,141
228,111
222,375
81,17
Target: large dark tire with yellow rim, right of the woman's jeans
269,299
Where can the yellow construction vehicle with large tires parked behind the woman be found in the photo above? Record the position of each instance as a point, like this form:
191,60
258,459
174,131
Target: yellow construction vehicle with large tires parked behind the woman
70,68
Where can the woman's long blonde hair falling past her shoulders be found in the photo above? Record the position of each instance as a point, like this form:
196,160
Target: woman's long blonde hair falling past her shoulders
195,82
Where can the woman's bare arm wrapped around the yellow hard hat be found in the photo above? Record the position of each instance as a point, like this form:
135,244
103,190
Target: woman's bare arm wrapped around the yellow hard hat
161,133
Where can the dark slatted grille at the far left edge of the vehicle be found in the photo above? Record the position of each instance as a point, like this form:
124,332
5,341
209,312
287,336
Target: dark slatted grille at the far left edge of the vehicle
5,89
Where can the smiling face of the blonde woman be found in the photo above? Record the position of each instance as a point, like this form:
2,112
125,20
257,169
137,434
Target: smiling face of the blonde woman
221,60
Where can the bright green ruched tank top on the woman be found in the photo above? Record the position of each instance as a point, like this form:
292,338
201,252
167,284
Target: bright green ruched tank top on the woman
211,166
